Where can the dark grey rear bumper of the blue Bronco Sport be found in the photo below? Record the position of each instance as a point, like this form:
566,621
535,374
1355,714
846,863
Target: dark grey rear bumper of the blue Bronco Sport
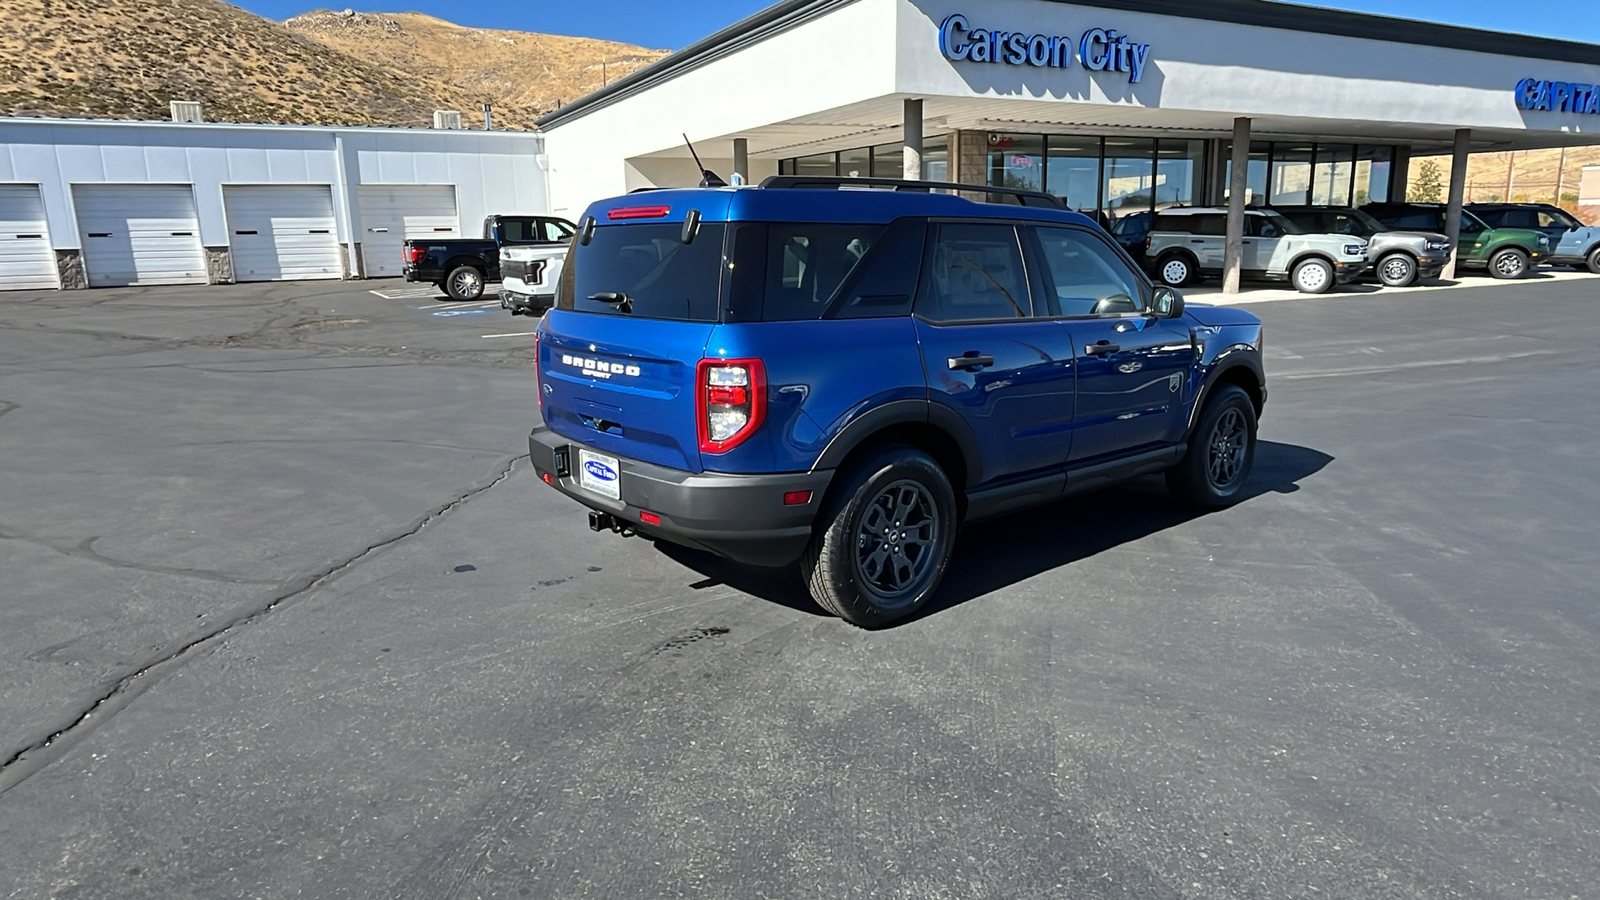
742,518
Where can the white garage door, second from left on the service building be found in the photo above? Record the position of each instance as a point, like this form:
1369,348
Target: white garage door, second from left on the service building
140,235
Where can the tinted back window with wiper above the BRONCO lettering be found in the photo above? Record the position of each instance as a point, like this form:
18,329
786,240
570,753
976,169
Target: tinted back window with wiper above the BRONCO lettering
646,271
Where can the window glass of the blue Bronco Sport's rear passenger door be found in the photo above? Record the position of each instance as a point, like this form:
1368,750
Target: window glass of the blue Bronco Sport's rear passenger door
975,273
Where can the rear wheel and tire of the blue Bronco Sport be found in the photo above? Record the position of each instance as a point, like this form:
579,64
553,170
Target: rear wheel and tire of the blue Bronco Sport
866,585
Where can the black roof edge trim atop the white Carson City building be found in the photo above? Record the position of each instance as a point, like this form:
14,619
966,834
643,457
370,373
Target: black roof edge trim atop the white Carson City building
1263,14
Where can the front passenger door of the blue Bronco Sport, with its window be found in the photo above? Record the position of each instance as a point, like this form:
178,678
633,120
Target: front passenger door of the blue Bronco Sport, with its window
1134,371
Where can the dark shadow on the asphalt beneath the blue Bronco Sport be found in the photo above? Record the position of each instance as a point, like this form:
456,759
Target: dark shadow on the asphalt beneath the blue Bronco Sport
999,553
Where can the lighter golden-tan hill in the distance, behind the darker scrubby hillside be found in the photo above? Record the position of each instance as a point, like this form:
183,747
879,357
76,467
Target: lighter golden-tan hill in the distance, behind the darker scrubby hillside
522,71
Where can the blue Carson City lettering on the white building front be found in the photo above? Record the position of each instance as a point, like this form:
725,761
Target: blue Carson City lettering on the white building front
1098,50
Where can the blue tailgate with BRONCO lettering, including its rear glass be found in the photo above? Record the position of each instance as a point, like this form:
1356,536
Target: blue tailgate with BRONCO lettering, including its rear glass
618,355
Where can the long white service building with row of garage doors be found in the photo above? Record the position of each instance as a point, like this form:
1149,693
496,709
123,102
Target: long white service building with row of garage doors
98,204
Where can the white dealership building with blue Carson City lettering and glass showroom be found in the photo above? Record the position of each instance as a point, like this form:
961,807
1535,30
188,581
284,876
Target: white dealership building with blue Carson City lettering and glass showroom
1114,106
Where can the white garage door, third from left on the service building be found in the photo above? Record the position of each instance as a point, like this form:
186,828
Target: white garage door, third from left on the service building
281,233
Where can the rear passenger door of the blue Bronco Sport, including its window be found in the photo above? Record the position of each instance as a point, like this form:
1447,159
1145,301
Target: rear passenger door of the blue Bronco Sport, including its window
1007,374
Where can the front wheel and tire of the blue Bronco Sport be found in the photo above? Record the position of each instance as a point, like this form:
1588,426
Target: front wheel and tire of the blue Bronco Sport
1222,452
